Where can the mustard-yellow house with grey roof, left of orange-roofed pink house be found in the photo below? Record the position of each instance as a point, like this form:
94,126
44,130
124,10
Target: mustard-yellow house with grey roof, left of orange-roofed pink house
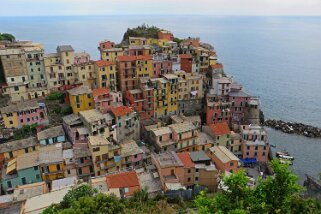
80,99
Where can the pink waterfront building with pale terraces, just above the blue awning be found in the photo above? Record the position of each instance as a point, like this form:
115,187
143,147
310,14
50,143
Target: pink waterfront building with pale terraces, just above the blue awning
255,143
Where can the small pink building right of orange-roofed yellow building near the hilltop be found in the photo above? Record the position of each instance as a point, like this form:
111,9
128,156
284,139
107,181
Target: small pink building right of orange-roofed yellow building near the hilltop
161,65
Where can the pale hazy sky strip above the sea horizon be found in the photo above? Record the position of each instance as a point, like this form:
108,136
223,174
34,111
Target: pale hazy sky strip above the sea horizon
208,7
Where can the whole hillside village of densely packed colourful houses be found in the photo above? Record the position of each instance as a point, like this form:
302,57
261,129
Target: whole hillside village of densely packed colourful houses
157,113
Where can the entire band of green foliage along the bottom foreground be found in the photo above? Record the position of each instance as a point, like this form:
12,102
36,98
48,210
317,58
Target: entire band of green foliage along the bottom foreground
276,194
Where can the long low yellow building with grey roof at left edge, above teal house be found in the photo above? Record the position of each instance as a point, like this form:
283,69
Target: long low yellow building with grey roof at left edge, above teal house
18,147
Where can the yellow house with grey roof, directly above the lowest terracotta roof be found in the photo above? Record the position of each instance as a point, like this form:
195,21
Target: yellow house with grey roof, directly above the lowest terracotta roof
105,155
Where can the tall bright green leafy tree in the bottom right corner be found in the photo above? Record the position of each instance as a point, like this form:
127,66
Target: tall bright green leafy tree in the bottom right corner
277,194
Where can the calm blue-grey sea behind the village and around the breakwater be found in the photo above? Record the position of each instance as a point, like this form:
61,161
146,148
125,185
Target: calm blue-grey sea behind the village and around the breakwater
275,58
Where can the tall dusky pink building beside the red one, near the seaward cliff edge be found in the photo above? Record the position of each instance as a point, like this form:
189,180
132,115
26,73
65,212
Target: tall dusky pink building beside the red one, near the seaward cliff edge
239,102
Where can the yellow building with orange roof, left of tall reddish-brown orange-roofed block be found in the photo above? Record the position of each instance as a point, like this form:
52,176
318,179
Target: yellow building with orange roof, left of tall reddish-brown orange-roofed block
106,75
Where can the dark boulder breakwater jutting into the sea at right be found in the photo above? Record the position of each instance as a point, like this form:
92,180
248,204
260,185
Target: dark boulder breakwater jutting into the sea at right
294,128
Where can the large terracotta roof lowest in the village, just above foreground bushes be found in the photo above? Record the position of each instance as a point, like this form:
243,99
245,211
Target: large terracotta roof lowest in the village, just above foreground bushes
122,180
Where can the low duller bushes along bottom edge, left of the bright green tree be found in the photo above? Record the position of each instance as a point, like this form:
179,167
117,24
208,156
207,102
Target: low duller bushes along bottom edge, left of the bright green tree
84,199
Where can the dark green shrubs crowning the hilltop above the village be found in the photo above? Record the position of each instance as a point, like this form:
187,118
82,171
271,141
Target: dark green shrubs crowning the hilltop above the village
141,31
